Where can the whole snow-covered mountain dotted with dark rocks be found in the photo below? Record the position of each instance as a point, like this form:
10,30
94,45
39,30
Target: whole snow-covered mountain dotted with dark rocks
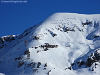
64,44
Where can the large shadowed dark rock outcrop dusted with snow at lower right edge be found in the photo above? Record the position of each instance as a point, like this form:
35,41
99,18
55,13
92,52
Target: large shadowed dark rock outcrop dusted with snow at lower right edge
91,60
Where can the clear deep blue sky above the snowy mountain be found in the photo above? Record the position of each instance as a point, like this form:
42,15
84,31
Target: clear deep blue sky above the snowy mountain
16,17
